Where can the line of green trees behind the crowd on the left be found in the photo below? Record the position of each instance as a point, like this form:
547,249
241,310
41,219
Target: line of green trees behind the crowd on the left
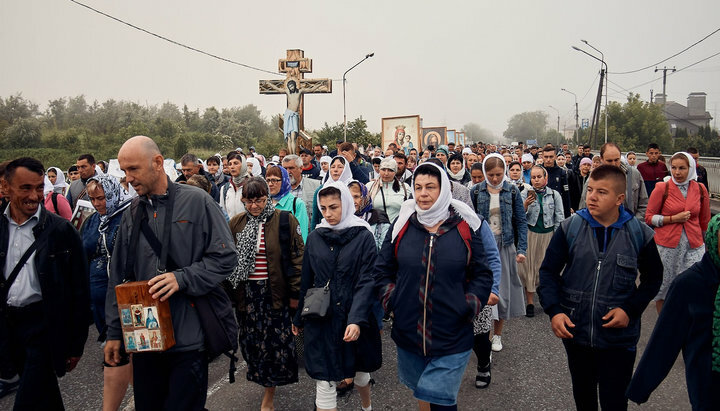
69,126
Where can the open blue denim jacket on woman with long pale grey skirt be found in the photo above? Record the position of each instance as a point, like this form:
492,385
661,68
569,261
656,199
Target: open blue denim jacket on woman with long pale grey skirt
511,211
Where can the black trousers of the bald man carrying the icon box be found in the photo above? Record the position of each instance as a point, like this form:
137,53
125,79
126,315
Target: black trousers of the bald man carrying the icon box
170,380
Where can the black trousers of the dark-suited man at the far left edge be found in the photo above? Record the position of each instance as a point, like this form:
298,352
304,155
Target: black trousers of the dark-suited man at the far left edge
29,345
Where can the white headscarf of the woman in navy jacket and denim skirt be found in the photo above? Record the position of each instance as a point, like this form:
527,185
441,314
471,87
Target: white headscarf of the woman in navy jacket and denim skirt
439,211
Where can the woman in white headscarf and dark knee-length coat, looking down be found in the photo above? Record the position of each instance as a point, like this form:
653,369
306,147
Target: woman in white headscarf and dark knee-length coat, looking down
340,255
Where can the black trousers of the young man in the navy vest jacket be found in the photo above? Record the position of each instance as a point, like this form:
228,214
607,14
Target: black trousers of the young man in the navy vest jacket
609,369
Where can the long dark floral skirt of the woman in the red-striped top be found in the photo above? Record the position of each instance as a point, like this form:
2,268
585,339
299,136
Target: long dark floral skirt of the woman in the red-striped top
266,338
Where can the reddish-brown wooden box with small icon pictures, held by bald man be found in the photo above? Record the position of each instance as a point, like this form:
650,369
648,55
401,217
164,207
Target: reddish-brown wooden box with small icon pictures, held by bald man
146,322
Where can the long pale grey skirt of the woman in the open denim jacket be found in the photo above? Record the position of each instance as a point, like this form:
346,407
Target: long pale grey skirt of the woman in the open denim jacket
512,295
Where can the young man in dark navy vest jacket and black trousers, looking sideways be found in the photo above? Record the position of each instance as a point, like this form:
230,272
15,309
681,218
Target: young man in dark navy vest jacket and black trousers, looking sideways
588,288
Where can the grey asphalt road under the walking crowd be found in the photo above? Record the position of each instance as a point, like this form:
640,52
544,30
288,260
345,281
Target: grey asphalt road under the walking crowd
529,373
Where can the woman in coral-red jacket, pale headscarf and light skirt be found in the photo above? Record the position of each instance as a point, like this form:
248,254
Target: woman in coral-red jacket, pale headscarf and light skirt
679,209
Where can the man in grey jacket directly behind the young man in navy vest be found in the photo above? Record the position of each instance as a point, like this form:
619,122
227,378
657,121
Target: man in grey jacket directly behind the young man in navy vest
635,193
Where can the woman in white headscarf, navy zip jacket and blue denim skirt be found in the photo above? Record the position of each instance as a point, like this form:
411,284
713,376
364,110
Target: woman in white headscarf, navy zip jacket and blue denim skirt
432,274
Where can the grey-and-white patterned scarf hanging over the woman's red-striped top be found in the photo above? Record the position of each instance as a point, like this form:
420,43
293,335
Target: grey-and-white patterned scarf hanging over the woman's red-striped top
248,244
